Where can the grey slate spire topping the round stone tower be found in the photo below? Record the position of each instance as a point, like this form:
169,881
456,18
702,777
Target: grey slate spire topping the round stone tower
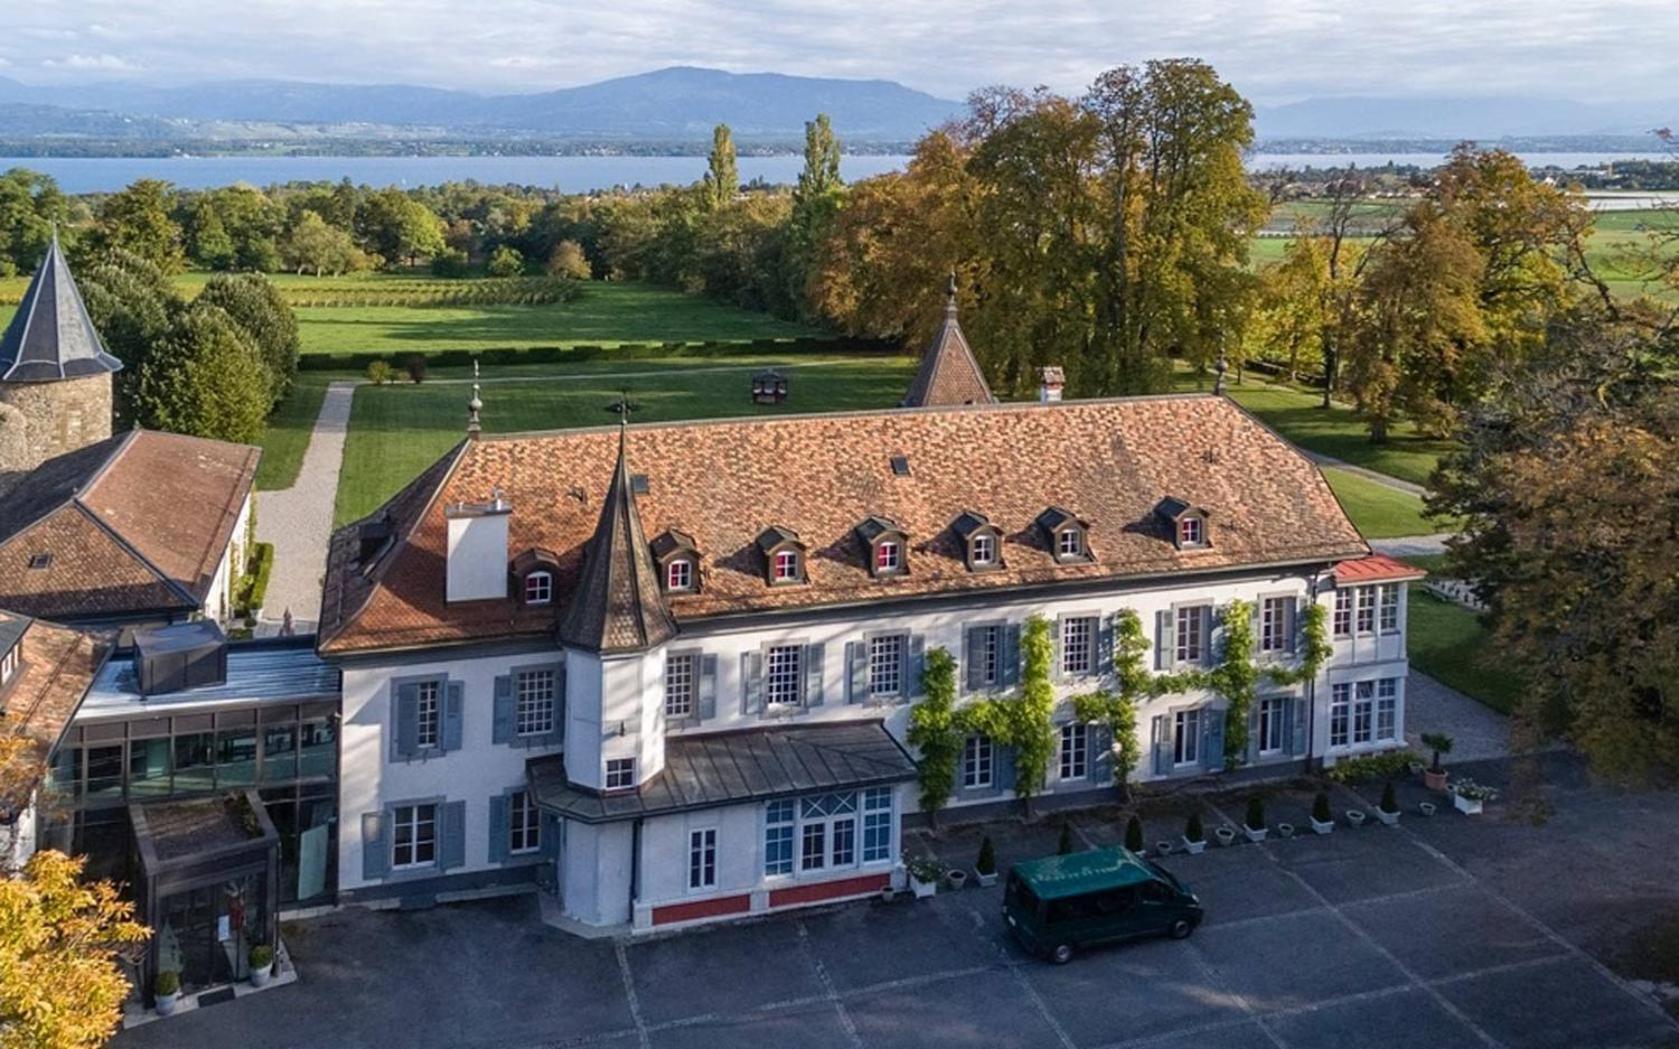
53,338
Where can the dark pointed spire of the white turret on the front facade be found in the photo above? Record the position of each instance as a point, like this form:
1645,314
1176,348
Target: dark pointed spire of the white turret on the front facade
617,605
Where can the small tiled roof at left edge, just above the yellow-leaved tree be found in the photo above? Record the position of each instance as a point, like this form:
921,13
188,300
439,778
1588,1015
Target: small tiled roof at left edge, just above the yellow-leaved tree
58,667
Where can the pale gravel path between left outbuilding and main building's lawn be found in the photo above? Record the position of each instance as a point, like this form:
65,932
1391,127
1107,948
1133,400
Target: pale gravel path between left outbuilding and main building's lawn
298,521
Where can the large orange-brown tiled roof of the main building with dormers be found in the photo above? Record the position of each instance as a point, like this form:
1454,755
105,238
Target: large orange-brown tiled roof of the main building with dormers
822,476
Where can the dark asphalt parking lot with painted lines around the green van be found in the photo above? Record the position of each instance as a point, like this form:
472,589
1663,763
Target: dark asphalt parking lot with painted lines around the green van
1445,932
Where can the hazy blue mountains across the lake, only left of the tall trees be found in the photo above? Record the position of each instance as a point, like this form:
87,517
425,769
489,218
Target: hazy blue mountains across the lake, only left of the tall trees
676,103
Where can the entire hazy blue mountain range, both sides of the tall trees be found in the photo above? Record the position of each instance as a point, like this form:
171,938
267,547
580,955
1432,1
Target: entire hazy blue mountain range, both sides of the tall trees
681,105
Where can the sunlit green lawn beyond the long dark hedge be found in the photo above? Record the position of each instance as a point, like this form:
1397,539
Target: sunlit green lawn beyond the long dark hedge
604,316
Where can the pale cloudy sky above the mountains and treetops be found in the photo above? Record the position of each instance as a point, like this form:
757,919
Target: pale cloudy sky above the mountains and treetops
1272,50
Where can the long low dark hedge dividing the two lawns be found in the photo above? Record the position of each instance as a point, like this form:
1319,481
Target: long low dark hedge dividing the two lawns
625,352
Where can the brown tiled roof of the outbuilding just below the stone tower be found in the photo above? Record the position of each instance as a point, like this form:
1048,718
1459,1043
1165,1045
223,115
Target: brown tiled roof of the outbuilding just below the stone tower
135,523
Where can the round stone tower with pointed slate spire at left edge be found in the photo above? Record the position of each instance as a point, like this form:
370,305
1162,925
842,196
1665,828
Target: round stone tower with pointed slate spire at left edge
55,375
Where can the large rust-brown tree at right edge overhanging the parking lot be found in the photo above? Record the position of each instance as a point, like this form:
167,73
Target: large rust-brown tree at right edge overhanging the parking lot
1566,488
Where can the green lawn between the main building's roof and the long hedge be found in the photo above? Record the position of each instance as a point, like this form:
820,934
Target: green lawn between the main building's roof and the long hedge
395,432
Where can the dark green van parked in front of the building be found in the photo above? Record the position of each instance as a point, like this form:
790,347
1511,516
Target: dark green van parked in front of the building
1064,904
